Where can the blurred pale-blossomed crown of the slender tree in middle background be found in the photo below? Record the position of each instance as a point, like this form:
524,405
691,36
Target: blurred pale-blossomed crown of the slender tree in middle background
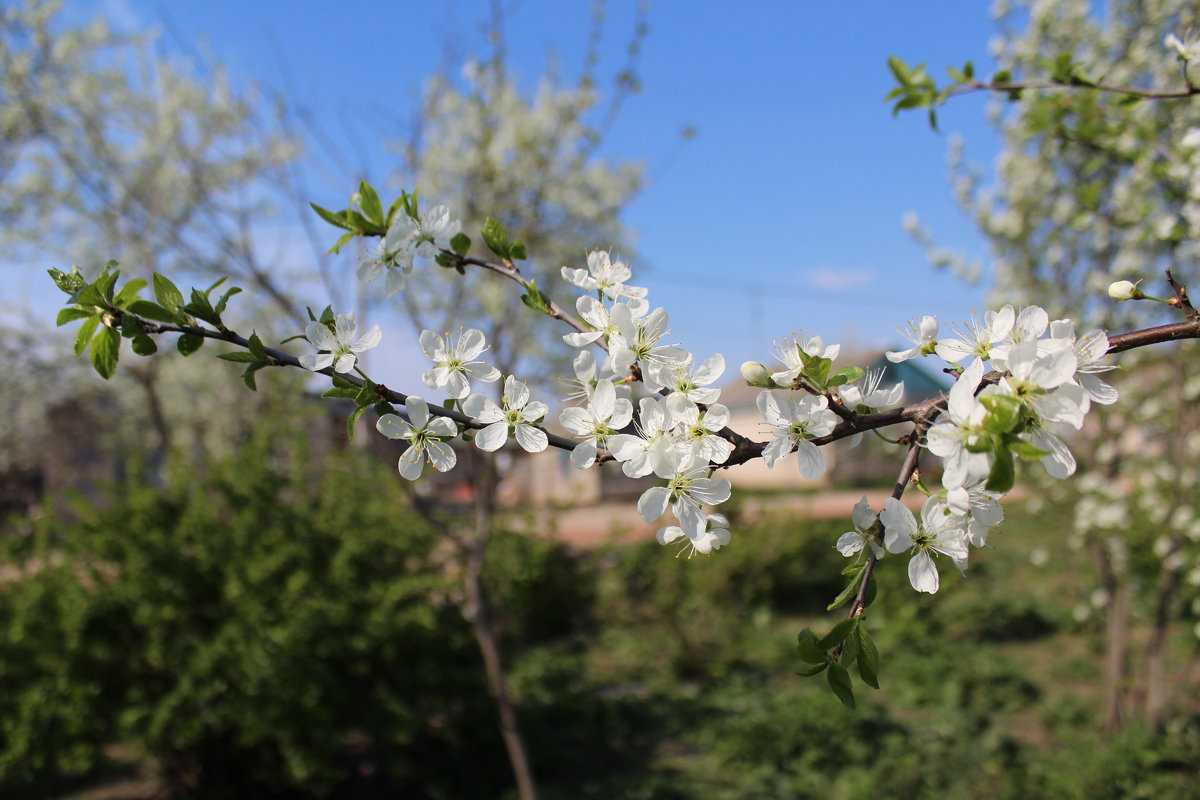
488,147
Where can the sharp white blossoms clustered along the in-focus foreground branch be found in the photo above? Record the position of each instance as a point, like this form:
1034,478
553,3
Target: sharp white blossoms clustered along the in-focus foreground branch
653,407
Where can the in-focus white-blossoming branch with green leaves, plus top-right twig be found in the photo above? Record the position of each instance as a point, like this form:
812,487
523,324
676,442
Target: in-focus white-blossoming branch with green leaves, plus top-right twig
640,399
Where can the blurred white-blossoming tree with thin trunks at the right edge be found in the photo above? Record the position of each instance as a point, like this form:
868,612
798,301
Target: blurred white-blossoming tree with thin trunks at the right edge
1094,188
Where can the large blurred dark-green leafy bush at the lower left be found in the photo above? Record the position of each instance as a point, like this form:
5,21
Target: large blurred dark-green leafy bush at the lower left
259,628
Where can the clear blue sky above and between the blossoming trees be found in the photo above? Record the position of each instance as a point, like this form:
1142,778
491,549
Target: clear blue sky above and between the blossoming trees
783,214
